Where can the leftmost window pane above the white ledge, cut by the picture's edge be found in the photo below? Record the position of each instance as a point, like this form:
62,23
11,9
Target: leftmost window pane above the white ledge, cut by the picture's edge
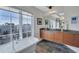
4,27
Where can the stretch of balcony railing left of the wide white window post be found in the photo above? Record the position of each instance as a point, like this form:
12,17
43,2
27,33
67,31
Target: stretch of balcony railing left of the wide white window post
7,38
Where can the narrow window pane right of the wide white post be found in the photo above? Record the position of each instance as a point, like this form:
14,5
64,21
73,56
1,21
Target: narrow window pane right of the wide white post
26,26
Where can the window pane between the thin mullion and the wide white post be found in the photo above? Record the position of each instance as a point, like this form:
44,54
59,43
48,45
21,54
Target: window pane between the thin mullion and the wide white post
14,17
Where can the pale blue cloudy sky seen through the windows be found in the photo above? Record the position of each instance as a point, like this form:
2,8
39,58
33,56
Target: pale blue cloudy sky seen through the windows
6,17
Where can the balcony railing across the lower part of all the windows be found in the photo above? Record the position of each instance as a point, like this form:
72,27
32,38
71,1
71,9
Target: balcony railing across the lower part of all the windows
15,36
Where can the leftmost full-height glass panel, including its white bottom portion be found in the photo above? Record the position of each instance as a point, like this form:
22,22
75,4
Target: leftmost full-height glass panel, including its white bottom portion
5,36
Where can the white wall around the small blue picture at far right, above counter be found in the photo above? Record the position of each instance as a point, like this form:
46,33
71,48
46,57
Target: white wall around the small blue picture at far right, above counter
69,12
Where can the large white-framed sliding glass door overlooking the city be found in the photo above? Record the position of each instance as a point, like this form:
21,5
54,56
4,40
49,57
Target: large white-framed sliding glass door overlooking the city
14,27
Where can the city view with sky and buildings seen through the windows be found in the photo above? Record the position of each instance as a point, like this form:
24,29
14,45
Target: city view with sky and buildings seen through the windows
9,26
